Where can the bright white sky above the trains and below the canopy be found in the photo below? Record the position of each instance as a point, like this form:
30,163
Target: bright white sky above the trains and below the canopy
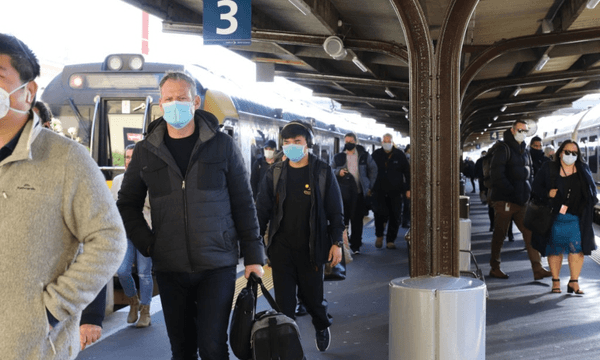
62,32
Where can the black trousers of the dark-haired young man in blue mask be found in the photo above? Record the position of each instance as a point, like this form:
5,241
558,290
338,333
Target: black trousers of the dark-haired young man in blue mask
293,273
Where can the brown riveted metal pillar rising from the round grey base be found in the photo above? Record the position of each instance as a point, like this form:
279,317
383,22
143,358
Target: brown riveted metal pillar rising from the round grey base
434,133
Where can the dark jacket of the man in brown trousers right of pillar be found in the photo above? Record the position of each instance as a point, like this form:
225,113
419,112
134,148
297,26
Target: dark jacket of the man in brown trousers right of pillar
511,177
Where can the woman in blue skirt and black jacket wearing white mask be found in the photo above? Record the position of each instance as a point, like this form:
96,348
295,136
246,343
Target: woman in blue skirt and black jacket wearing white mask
567,184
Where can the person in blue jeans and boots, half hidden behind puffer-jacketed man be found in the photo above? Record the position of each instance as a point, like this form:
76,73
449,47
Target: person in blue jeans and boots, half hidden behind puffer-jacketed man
143,264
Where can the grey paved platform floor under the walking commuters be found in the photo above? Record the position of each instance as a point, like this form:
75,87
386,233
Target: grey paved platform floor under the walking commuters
524,320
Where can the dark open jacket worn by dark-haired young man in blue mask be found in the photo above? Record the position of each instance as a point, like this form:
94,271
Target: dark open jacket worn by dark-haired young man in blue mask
326,214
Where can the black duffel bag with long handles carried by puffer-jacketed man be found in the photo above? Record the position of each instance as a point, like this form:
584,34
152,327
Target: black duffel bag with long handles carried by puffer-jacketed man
274,336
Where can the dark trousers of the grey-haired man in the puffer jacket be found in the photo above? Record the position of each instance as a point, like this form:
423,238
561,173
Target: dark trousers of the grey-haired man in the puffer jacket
196,307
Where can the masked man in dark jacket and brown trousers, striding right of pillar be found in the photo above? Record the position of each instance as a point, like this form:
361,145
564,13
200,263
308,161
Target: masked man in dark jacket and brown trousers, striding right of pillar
511,176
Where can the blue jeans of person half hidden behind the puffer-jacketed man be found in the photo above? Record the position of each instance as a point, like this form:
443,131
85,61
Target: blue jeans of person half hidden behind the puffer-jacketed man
144,267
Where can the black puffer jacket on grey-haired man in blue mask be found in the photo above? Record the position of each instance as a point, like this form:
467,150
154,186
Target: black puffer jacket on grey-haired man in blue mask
199,217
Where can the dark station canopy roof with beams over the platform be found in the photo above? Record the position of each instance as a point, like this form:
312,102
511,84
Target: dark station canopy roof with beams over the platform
520,59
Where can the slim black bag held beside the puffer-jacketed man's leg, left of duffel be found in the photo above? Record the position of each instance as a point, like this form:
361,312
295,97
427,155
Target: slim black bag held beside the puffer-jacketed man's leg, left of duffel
242,321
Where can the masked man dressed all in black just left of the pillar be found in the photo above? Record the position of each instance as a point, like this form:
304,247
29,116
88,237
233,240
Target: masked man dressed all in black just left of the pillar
393,180
